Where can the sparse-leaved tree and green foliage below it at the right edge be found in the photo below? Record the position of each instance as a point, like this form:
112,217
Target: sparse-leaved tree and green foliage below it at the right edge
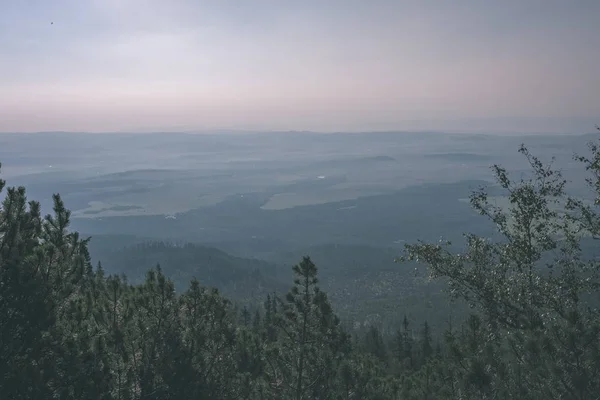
534,290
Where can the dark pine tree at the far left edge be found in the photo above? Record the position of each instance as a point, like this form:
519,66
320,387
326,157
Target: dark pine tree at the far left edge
26,311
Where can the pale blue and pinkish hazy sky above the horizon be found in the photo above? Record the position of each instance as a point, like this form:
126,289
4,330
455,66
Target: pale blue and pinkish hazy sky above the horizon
321,65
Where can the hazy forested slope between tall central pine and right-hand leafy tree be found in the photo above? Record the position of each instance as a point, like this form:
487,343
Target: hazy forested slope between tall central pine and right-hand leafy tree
367,288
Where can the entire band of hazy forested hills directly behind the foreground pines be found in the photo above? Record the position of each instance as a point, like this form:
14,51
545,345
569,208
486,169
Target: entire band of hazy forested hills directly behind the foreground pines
363,283
